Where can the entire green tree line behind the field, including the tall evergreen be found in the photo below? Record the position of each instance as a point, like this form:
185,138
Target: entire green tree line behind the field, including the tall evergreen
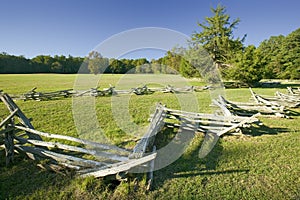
275,58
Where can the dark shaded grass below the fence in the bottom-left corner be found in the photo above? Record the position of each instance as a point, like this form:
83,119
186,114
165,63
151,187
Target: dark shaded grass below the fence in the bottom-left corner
23,178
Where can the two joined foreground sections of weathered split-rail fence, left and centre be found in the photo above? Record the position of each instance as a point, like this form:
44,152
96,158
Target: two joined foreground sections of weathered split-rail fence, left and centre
90,158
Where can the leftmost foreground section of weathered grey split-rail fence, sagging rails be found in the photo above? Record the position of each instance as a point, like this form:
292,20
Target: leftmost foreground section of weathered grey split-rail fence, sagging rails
39,145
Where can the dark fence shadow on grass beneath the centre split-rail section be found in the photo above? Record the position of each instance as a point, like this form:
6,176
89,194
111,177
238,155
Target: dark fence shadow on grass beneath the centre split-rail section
189,164
